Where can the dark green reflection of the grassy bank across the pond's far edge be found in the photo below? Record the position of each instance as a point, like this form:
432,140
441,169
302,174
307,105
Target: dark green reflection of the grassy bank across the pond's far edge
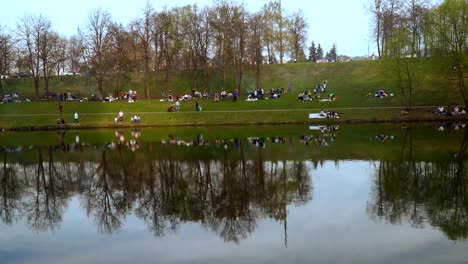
350,142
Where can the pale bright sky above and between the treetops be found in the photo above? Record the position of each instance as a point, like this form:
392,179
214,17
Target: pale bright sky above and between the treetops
346,23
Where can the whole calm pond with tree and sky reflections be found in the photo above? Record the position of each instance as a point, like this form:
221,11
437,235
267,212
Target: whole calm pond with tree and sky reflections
287,194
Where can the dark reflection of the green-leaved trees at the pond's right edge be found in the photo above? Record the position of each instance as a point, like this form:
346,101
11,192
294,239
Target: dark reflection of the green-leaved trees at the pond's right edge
423,192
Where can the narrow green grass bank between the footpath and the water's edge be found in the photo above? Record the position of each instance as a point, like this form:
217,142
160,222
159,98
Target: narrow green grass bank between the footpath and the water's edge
27,121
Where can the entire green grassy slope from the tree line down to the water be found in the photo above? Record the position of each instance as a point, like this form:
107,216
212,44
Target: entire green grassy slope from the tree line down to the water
350,82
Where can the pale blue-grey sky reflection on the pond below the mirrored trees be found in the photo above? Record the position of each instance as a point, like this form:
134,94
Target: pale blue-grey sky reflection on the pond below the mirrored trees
333,226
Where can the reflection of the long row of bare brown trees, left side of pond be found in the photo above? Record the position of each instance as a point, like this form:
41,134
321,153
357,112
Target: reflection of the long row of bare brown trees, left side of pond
218,186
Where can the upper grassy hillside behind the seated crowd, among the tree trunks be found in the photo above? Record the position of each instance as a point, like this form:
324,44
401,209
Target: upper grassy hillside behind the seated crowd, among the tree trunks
351,82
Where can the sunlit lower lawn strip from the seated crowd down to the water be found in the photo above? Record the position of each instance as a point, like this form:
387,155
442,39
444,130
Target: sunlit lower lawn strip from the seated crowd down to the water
42,115
